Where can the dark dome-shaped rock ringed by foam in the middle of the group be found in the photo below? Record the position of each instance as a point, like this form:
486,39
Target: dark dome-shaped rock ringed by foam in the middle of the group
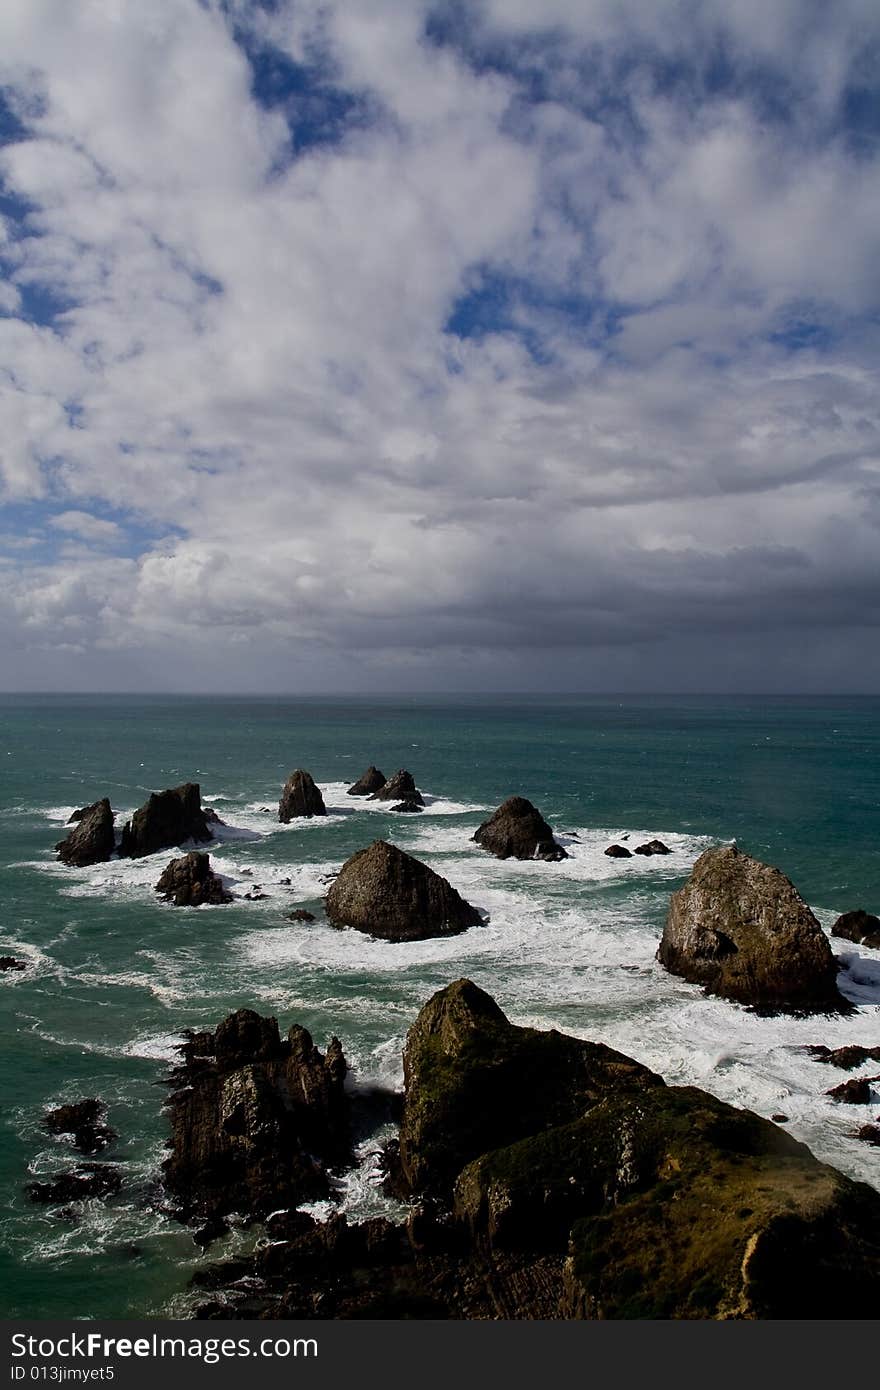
384,892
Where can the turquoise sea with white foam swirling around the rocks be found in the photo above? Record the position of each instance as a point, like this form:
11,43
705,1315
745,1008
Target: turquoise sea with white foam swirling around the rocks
115,975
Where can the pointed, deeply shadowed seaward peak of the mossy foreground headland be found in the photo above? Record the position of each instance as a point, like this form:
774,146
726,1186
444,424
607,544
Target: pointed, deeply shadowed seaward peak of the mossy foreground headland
476,1082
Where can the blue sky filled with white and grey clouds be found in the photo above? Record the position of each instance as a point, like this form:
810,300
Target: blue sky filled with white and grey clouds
476,345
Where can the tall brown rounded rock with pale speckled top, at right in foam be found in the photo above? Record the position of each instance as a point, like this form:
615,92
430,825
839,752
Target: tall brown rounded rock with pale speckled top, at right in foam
742,929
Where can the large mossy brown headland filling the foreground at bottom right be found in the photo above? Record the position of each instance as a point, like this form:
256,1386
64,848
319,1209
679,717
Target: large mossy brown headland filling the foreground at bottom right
567,1181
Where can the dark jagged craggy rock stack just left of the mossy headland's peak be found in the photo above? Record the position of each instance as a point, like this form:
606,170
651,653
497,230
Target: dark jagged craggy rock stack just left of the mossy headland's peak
255,1120
